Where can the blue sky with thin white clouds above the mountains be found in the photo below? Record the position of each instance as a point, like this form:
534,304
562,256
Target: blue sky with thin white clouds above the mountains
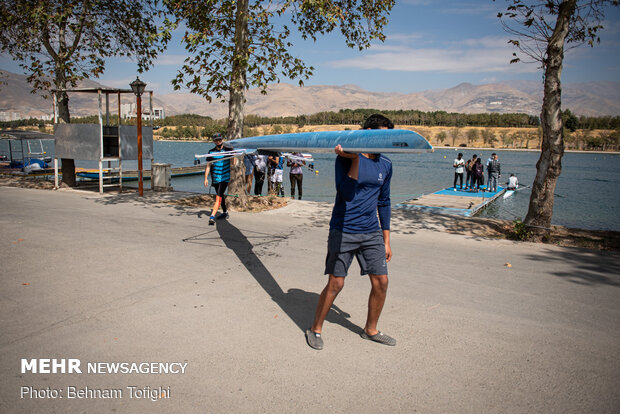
431,44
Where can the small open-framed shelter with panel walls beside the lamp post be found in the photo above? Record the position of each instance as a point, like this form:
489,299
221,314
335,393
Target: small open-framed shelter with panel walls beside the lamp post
108,144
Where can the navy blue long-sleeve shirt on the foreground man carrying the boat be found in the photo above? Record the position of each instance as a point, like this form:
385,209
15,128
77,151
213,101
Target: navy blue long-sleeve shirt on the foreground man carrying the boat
359,201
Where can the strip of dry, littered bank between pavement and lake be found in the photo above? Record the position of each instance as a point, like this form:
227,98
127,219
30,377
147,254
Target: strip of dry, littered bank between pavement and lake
403,221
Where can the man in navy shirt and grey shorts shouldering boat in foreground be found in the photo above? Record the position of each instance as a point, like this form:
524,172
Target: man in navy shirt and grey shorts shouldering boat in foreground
362,191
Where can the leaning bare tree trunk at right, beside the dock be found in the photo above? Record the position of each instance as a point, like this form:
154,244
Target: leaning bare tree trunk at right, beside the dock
549,166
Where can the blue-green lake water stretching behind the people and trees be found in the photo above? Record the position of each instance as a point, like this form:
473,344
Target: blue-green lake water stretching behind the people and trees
587,192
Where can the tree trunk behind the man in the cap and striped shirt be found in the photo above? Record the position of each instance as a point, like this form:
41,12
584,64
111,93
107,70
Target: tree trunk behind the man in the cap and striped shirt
236,99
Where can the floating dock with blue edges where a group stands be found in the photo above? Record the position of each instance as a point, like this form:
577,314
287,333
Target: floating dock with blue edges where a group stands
448,201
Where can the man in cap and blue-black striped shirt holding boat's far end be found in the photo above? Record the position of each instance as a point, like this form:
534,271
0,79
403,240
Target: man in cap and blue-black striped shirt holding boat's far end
220,176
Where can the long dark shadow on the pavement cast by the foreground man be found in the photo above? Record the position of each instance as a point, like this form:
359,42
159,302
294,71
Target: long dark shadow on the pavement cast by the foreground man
298,304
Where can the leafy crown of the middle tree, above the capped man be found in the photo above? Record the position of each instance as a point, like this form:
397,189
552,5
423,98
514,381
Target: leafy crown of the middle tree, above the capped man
225,35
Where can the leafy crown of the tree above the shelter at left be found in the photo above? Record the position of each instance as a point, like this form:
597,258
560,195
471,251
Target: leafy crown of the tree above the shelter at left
70,40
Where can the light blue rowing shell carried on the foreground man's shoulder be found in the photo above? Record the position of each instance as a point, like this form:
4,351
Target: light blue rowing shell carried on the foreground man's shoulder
363,140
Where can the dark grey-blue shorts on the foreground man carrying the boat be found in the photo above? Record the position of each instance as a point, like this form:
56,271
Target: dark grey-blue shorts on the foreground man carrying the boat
367,248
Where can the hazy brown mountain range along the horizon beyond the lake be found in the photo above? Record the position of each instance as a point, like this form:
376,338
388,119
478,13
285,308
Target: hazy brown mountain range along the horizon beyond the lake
592,99
